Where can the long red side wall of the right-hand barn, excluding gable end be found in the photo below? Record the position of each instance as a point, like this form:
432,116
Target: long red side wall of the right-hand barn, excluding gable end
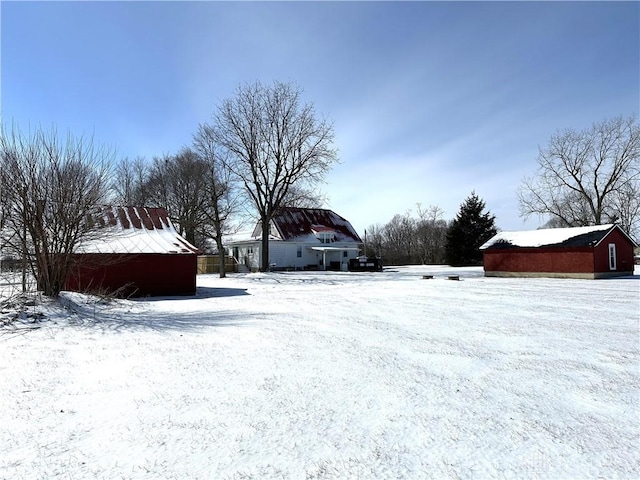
565,260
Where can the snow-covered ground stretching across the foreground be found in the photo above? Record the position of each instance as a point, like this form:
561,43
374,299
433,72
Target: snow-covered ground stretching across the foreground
331,375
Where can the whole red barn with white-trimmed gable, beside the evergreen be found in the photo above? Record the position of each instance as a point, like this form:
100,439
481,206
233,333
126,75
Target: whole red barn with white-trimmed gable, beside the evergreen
600,251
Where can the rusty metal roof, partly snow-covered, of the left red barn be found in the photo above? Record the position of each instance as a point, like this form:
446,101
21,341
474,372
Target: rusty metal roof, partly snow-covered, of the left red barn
134,230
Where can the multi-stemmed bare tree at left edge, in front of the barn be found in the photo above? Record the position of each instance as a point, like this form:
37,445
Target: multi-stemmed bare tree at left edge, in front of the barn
49,188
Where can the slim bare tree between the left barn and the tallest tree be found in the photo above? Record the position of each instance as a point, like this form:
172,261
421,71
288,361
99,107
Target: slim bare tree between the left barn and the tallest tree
221,201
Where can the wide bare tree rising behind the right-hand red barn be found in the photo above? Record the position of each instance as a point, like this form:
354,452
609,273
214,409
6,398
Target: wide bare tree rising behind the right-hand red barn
588,177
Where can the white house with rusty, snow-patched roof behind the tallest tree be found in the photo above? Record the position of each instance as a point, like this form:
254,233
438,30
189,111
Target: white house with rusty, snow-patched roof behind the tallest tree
299,239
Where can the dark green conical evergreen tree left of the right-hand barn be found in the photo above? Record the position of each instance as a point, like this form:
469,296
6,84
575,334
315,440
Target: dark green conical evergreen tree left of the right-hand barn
468,231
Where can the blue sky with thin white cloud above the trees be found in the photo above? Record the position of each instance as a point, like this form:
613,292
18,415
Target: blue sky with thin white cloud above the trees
430,100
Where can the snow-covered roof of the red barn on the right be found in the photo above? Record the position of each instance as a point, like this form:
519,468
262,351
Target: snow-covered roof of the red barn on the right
552,237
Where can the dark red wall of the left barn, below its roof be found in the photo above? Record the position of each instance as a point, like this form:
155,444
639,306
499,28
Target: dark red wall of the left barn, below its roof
140,275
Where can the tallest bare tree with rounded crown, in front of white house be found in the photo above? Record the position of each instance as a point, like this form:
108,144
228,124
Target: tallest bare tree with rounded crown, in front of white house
274,143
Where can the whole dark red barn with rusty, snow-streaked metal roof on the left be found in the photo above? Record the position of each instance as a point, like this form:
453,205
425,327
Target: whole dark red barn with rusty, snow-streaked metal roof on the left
137,252
